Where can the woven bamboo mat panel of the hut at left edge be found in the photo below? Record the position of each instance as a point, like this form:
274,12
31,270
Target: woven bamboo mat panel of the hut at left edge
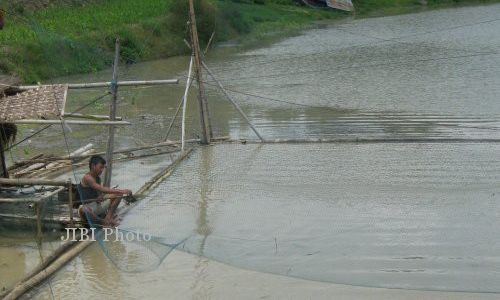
43,102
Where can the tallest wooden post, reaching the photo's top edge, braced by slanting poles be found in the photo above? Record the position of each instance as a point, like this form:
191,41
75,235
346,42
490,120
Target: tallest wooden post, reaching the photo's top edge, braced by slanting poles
206,131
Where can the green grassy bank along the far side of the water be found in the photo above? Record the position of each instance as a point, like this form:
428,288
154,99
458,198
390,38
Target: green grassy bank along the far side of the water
67,38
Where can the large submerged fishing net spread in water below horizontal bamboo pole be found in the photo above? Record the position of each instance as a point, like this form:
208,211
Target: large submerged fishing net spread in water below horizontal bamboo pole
388,223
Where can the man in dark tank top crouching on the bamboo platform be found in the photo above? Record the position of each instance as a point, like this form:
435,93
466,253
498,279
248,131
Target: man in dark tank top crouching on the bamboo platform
95,207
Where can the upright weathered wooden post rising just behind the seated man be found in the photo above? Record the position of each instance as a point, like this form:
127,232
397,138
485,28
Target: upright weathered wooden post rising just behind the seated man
112,117
